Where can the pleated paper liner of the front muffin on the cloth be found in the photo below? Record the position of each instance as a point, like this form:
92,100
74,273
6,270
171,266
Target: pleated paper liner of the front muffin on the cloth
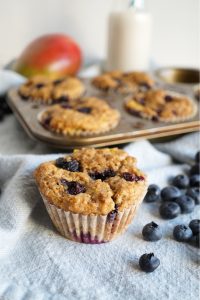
91,229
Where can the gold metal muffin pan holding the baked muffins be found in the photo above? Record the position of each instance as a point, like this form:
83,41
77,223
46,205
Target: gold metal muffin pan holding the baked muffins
130,128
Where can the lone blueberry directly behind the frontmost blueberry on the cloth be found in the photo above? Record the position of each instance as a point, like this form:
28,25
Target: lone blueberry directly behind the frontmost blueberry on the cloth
152,232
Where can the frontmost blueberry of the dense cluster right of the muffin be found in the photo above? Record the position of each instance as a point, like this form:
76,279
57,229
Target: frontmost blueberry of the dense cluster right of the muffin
169,210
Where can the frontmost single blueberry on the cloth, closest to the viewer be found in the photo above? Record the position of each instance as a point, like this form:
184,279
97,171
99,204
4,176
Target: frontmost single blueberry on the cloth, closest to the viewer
148,262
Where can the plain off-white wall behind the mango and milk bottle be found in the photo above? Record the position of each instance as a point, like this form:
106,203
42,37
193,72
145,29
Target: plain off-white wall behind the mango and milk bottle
176,33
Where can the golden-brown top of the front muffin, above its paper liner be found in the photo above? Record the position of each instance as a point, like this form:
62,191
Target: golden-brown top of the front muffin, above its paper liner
91,181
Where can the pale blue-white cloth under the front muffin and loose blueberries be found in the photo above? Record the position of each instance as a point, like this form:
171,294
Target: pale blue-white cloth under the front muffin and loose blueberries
36,263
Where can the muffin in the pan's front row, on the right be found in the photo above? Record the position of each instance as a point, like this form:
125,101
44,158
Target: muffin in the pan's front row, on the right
160,105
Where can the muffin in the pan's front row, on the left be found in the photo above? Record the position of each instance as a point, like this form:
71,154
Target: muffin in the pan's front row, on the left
85,116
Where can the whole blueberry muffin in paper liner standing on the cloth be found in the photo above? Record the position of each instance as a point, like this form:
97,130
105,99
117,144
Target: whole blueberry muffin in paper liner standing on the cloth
91,195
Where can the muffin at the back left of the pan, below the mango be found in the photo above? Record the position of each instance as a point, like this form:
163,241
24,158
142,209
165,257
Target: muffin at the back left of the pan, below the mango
43,89
